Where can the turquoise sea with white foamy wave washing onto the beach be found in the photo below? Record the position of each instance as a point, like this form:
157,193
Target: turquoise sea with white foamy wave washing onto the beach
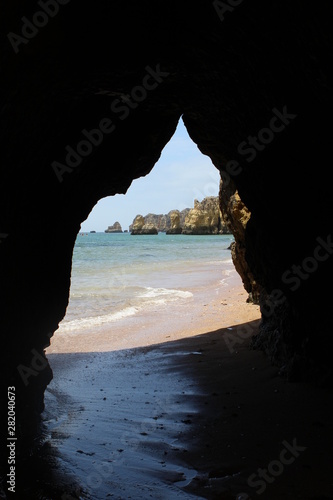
117,275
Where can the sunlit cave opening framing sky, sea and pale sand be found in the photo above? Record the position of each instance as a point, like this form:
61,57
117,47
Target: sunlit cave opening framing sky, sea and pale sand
124,287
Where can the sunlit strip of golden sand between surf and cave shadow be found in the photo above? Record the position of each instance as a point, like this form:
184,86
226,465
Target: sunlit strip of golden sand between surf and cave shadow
213,305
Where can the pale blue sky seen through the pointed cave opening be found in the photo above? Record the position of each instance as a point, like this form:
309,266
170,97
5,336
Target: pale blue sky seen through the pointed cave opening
181,175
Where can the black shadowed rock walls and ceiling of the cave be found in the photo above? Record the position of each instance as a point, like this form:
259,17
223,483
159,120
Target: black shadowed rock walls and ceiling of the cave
224,77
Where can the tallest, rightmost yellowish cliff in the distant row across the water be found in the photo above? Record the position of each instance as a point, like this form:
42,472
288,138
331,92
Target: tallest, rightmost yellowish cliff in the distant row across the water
205,218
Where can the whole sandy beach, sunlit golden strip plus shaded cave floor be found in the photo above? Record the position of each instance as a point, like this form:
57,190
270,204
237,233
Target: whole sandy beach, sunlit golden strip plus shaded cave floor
170,410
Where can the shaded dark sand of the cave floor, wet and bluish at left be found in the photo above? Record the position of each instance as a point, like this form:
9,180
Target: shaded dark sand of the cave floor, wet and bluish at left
187,419
